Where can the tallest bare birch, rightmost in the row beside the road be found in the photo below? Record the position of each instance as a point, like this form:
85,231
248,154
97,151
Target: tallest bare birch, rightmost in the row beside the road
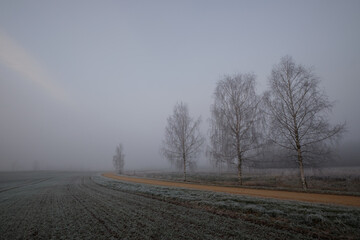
298,113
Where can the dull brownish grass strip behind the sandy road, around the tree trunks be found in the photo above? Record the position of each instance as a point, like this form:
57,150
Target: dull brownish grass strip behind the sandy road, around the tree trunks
327,180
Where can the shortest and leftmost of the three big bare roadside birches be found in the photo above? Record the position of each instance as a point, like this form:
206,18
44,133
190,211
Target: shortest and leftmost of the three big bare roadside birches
183,139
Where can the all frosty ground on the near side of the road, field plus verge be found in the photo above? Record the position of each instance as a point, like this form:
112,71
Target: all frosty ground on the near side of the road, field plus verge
54,205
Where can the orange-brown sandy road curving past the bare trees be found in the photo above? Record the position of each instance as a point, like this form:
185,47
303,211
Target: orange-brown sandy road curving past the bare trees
285,195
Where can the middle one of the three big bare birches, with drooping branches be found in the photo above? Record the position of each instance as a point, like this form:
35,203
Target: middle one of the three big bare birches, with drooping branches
235,114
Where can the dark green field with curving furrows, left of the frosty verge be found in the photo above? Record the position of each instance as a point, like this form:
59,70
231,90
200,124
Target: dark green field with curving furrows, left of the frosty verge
75,206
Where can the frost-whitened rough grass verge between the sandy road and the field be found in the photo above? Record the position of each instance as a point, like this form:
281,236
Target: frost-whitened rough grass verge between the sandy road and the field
316,220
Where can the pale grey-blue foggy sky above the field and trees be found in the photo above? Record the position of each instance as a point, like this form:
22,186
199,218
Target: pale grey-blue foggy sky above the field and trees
79,77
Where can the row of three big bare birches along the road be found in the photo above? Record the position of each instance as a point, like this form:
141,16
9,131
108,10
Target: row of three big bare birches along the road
292,118
